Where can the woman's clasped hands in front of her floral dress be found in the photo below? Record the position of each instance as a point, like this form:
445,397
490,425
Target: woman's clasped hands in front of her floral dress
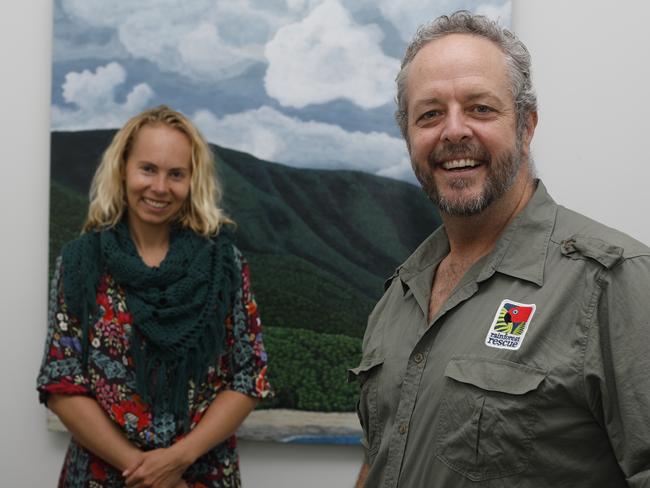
160,468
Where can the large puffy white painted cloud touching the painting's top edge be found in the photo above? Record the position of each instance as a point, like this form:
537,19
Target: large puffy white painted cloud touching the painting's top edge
327,56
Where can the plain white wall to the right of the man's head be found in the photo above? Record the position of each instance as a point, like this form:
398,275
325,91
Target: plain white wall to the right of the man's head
591,68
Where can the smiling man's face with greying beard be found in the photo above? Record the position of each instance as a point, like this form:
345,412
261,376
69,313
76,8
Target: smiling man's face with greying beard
462,124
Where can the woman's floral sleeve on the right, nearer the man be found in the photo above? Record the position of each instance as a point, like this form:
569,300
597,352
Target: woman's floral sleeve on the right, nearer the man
246,353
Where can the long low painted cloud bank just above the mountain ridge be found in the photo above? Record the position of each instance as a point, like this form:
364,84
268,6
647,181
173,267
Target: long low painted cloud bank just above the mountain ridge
273,136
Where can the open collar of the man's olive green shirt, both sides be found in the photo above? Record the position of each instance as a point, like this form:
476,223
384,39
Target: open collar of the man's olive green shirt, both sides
520,252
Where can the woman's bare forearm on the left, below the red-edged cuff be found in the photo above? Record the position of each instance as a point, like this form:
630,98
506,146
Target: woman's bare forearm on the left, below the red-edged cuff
91,427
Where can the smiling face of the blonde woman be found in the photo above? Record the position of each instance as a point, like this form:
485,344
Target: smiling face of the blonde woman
157,177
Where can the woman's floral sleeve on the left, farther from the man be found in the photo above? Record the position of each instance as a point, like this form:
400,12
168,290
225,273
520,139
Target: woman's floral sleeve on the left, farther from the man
61,369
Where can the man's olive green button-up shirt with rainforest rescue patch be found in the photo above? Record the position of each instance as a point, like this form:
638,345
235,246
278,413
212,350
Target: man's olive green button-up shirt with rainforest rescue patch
534,373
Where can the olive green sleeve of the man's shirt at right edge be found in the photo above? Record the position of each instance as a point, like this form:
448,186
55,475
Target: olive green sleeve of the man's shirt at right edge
617,362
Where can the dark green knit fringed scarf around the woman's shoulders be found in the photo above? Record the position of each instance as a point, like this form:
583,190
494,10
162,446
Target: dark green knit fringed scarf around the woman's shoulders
178,309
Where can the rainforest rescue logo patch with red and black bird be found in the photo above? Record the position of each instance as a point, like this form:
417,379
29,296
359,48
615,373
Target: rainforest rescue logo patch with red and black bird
510,325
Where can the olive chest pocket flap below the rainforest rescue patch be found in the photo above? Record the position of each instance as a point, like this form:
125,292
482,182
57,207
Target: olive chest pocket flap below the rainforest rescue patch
495,374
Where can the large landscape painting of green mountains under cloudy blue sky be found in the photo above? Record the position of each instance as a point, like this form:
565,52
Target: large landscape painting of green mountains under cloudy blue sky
296,98
